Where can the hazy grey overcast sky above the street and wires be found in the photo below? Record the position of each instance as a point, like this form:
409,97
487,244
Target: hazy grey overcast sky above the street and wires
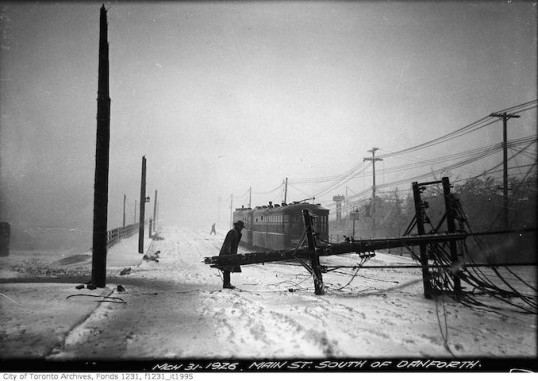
224,96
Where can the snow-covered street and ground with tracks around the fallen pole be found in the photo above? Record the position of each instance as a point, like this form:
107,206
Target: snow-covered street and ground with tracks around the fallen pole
175,308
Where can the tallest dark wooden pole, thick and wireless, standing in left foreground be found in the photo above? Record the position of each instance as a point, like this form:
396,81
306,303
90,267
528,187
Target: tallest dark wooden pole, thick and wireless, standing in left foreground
100,196
